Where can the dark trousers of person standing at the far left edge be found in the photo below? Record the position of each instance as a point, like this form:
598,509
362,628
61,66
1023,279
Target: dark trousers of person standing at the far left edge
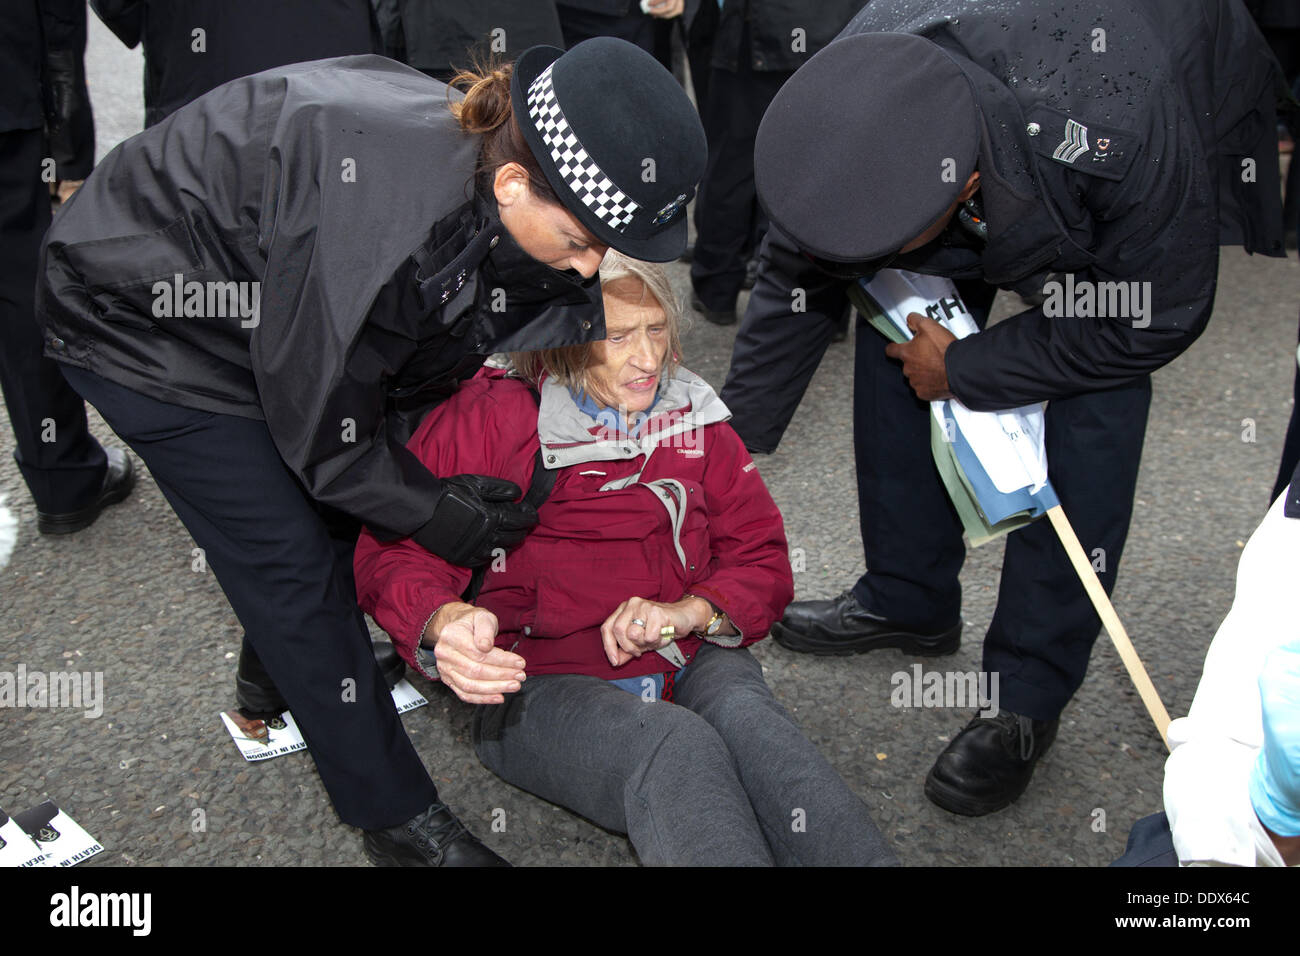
62,464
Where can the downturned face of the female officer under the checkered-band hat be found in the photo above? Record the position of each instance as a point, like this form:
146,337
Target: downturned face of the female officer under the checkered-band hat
549,233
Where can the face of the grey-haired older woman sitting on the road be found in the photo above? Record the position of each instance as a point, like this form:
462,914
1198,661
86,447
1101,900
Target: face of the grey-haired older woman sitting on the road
623,371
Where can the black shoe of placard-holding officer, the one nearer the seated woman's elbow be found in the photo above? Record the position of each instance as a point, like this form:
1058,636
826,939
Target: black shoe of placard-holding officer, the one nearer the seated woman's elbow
842,626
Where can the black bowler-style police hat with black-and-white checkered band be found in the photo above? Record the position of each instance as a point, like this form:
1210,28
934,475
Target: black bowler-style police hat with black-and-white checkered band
618,139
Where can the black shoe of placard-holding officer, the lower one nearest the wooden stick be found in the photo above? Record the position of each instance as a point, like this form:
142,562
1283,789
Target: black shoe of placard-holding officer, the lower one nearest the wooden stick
990,764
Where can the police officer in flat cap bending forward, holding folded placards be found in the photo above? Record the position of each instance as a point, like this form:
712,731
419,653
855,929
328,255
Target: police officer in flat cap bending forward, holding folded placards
996,145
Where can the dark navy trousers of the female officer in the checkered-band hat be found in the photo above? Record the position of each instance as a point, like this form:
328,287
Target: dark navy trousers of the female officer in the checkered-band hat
291,586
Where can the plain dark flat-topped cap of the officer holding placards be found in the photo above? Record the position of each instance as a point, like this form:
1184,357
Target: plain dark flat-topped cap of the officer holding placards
866,146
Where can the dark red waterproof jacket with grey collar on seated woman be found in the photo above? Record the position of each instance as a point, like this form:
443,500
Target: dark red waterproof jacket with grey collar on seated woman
605,534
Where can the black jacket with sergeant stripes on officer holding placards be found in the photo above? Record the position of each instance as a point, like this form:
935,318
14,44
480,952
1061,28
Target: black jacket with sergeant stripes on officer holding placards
1184,94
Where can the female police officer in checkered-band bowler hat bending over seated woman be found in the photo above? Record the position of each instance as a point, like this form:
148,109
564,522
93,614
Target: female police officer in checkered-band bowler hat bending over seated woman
253,305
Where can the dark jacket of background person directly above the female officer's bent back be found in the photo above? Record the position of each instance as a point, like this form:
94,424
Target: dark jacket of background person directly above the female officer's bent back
194,46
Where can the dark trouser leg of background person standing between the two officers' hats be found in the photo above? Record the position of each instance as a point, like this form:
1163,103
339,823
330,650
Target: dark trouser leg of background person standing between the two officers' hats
729,220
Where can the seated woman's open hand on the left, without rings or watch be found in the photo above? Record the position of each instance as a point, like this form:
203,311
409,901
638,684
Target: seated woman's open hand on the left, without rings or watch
469,663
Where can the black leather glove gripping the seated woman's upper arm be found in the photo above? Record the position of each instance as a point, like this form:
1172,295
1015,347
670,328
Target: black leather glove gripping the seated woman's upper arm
475,516
